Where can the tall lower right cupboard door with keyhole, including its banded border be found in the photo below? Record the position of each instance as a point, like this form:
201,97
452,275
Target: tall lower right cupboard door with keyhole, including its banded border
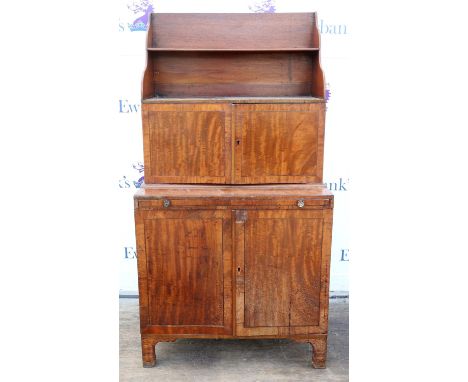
282,261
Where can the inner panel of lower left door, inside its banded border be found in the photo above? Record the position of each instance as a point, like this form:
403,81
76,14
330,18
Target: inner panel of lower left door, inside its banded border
185,271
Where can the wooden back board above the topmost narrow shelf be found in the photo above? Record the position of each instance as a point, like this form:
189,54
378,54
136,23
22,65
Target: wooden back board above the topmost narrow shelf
234,30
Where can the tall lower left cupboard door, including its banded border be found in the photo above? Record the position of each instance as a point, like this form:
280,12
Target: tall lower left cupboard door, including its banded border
185,271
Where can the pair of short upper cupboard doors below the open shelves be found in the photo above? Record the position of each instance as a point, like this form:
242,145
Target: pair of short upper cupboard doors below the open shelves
233,143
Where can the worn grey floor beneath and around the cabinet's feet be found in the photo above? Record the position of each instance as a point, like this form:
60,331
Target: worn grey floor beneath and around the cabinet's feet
233,360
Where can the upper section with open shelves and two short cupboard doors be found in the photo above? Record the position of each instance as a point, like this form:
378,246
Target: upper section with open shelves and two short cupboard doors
225,101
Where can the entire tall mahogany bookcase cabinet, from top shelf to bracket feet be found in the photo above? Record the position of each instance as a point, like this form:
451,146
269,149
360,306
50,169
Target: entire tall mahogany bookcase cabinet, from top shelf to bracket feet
233,224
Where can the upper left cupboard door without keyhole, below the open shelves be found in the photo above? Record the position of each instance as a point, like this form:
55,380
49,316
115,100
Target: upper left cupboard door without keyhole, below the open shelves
187,143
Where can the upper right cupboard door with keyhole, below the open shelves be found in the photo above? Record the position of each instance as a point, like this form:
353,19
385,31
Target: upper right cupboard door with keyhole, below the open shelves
279,143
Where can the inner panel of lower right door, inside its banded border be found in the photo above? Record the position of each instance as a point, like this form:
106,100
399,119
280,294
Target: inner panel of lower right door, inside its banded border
282,269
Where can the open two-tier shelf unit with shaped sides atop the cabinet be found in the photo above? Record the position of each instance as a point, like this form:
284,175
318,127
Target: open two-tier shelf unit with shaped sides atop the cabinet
233,56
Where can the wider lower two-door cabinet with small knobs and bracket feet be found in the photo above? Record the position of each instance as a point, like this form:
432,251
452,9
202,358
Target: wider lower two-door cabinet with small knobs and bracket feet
216,262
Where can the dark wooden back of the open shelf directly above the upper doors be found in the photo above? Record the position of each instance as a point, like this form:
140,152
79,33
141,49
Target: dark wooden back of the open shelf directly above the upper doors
212,74
